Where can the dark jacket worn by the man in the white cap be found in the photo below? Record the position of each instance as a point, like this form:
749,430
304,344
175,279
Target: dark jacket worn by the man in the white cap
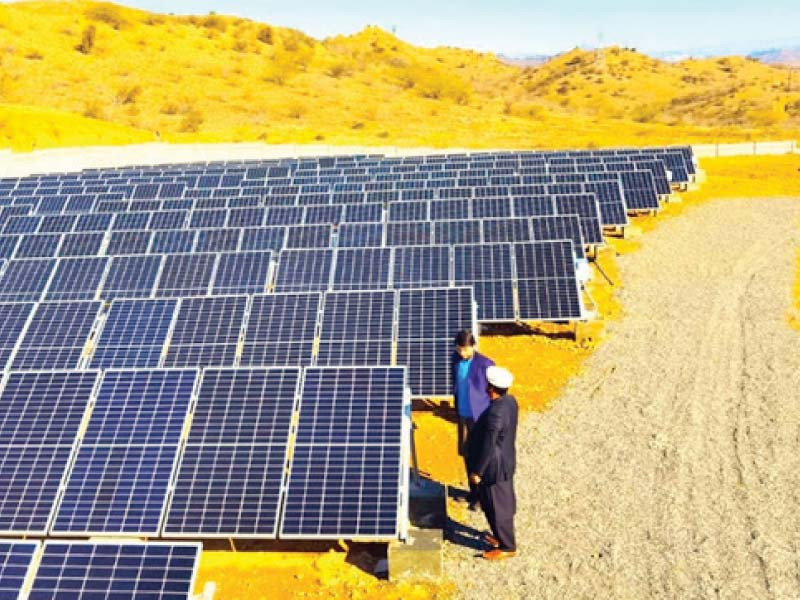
491,451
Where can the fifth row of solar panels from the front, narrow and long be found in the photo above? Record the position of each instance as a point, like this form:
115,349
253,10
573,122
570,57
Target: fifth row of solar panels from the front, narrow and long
348,235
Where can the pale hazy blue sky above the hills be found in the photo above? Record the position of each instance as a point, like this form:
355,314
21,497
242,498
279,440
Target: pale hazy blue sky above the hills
529,27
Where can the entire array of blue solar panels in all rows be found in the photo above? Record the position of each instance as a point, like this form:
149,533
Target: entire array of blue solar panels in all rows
228,349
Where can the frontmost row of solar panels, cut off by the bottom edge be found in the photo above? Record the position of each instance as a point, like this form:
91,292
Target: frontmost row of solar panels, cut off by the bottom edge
31,570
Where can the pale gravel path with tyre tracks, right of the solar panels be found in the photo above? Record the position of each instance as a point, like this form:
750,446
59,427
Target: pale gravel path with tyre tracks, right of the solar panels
671,467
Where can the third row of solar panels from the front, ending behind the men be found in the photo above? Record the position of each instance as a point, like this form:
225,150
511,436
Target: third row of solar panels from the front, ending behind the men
337,328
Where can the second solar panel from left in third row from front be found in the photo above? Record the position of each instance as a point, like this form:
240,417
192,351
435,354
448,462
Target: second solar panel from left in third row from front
57,336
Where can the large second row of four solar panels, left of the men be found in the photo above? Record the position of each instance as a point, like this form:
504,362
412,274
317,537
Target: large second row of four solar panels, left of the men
131,470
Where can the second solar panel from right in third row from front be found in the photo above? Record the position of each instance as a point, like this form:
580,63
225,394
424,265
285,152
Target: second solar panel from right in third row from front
357,328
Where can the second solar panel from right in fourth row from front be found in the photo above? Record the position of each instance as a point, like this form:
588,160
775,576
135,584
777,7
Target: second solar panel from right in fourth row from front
487,269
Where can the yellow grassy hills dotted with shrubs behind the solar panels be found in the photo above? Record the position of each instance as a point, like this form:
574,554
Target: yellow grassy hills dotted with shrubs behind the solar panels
237,79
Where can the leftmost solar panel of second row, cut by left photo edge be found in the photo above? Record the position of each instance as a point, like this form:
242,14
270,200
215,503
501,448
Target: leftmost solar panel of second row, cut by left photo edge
40,417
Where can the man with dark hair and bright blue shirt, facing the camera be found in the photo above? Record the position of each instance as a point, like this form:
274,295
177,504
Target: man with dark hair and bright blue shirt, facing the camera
469,388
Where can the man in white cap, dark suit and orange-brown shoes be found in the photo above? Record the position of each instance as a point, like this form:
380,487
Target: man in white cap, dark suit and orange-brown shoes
492,462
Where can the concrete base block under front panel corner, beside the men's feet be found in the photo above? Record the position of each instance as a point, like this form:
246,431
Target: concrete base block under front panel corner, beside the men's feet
418,559
